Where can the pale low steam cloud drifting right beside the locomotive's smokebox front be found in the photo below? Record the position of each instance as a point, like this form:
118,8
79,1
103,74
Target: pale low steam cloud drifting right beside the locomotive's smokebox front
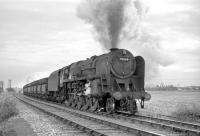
148,46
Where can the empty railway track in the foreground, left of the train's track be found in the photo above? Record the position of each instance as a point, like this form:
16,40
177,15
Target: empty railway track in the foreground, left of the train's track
89,124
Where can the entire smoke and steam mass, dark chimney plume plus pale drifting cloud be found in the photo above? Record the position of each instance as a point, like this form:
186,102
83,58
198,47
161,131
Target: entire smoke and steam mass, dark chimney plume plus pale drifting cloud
119,23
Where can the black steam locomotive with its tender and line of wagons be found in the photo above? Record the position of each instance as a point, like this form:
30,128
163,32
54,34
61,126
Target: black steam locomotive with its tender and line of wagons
110,82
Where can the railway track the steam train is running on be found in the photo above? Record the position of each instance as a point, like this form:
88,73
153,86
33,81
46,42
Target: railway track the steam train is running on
149,125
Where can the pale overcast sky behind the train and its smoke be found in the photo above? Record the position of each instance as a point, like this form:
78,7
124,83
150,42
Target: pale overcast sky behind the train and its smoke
40,36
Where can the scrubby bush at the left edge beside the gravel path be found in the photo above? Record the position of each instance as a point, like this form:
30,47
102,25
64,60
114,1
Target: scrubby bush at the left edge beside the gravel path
7,107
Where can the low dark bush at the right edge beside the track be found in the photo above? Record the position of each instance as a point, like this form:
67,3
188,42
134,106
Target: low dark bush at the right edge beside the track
188,113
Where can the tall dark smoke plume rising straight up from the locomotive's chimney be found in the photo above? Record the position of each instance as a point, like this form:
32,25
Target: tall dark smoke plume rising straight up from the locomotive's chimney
112,19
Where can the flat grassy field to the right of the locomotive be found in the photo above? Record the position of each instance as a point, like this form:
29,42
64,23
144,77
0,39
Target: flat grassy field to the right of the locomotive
182,104
